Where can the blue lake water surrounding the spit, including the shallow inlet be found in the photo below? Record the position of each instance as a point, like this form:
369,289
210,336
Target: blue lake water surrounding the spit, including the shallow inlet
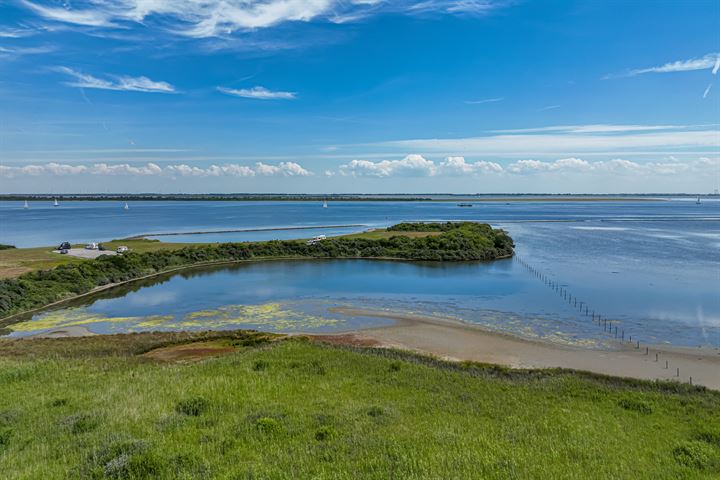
652,266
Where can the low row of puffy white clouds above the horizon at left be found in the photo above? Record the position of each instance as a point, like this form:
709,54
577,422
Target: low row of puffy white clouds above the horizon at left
284,169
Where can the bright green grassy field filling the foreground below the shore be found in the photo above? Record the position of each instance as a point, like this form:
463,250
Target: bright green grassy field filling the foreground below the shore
295,409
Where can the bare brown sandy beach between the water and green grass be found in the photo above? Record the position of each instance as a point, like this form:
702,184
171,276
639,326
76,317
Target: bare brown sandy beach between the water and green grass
459,341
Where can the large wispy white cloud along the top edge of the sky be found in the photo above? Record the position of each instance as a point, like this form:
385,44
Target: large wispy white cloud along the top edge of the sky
218,18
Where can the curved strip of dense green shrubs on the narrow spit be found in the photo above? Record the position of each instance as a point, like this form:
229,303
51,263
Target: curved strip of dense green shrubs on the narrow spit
459,241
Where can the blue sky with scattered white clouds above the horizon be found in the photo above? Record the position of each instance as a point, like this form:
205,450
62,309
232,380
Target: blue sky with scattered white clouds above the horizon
329,96
